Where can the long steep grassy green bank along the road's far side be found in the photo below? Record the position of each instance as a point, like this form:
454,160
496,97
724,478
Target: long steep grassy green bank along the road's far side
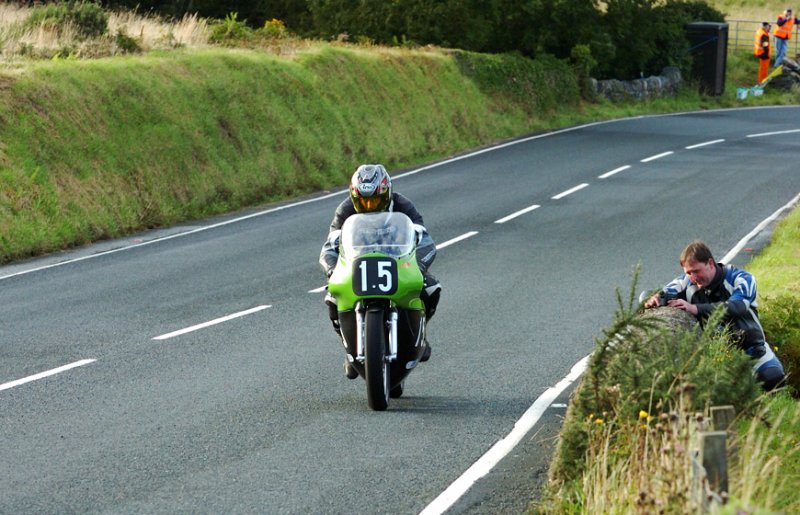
96,149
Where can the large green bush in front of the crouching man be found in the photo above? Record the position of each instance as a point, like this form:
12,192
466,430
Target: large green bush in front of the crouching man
650,361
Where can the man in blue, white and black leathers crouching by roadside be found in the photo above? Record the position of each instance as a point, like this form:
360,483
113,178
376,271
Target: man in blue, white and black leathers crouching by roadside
706,284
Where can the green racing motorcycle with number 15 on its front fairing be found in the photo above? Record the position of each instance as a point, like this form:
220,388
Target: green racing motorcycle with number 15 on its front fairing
377,285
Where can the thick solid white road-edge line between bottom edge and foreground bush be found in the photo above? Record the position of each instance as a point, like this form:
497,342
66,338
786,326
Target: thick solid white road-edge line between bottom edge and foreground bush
501,449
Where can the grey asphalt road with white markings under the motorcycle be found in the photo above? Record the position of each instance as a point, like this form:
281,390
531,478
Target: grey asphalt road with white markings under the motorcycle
202,375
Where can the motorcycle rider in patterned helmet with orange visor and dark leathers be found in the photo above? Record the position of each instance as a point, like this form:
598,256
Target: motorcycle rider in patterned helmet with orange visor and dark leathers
370,192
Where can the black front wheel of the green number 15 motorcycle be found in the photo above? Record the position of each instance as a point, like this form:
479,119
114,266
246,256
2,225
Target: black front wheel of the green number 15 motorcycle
375,365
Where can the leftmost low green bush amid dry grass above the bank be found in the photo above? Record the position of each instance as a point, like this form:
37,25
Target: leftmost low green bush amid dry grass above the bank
88,18
